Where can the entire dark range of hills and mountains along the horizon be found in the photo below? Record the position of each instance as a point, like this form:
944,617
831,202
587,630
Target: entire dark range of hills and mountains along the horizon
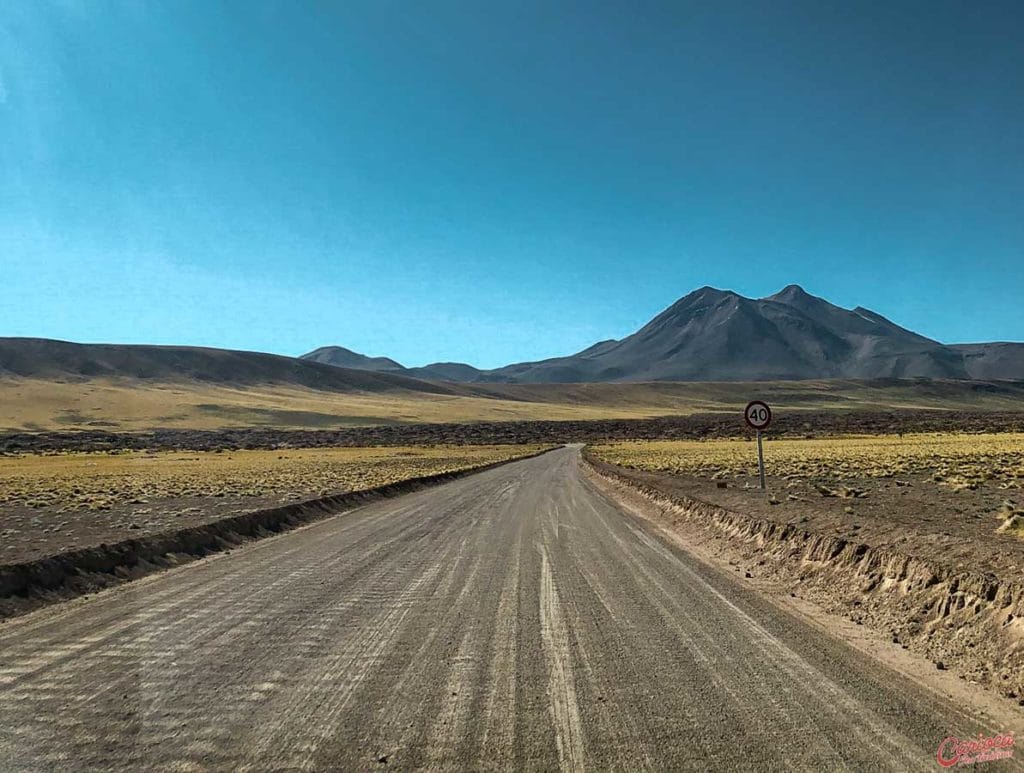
708,336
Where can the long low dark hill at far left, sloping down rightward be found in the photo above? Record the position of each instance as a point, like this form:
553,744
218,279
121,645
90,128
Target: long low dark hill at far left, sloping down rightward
45,359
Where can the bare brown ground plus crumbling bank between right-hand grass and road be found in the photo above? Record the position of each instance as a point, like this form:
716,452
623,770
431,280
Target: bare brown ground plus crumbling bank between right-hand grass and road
923,565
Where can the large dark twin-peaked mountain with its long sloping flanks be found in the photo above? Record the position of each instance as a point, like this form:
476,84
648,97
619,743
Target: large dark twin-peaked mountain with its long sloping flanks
716,335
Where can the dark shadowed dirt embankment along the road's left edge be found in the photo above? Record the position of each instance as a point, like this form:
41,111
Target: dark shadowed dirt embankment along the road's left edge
28,585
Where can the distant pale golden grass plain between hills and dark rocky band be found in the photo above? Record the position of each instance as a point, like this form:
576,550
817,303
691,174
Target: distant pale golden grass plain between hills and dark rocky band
123,405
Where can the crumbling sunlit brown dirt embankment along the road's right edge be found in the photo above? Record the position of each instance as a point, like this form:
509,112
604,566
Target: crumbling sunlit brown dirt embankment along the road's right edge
969,622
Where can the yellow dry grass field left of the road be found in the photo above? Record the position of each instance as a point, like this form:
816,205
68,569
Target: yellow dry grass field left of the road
55,502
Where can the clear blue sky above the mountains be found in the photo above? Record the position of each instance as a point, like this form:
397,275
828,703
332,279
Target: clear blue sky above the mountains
493,183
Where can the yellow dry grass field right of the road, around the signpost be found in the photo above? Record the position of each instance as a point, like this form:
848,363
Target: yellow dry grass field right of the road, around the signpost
857,469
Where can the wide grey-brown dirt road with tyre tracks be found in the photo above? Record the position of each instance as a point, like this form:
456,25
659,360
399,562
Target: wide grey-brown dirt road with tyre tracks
513,619
